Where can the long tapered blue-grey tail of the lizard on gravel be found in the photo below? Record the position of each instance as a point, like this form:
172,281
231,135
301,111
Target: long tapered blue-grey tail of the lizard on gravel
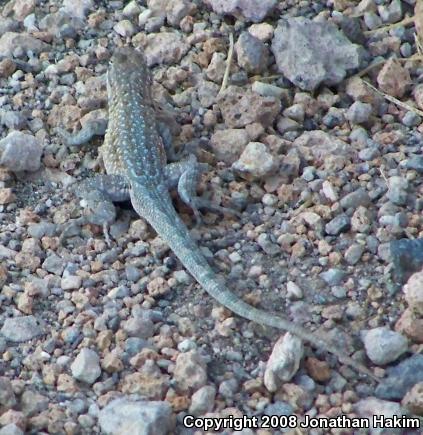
163,218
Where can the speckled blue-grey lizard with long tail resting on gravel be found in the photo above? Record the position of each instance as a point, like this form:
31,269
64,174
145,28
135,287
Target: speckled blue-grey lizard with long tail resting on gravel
134,158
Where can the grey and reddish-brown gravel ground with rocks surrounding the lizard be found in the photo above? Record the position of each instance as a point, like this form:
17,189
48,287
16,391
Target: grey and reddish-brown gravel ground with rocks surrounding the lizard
315,137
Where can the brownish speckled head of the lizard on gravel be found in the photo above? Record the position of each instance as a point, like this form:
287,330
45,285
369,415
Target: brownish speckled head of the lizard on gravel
127,66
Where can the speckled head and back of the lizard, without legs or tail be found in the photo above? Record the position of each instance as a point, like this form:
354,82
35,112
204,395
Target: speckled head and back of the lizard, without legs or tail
132,144
